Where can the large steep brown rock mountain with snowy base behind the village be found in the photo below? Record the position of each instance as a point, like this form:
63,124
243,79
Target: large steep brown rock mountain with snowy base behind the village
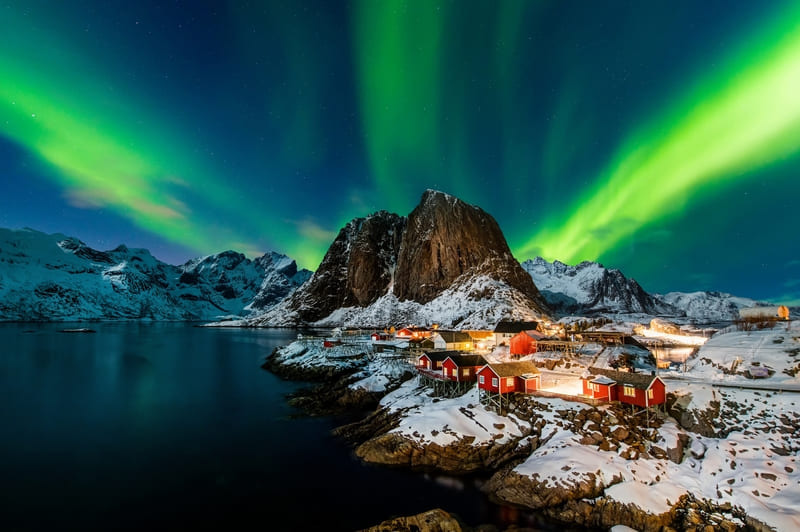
447,262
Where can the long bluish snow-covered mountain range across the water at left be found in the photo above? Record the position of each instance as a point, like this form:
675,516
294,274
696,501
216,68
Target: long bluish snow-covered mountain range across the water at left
56,277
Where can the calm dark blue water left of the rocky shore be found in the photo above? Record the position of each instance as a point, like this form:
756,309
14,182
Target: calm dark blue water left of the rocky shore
166,425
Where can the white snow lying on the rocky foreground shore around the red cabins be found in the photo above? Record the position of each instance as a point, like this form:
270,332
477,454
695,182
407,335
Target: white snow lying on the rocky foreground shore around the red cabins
752,464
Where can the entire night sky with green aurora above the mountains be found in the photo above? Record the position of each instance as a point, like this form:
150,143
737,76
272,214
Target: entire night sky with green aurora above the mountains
661,138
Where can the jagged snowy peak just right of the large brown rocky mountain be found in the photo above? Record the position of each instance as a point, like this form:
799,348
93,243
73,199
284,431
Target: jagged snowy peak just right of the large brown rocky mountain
590,288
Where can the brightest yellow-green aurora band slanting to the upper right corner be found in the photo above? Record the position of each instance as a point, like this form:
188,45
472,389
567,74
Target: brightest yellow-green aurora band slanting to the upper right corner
743,118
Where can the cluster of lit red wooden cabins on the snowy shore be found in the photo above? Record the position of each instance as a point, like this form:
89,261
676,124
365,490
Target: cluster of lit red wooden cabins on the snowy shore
527,358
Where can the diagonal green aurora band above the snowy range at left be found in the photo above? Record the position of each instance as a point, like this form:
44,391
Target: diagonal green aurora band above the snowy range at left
107,152
